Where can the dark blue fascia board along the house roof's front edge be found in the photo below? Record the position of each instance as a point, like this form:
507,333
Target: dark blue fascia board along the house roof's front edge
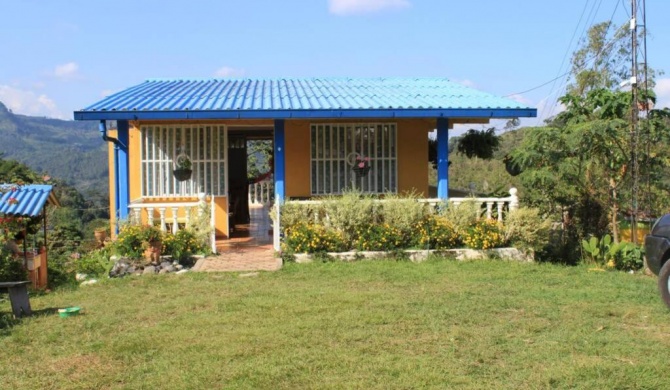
307,114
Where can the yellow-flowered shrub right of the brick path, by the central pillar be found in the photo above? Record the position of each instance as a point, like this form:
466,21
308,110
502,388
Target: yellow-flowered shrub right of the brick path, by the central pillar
307,238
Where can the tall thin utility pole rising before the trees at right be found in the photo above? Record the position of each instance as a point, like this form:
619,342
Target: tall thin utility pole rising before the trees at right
634,135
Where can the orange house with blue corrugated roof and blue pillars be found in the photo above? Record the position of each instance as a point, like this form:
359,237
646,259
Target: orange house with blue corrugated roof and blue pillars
321,129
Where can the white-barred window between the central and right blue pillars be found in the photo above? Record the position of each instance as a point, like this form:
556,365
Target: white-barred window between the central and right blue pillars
335,147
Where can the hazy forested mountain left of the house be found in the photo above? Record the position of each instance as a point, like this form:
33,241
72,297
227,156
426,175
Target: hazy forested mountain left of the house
68,150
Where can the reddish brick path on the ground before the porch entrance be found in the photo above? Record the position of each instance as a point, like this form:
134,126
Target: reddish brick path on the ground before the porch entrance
240,259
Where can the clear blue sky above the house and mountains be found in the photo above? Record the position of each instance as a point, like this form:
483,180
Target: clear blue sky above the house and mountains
60,56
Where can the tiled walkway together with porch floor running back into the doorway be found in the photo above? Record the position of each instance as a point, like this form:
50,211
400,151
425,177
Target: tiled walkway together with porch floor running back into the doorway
249,248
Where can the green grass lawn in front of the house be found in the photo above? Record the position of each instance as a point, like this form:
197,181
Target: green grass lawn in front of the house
369,324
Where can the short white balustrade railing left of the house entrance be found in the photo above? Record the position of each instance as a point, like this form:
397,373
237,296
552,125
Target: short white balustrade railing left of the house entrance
147,211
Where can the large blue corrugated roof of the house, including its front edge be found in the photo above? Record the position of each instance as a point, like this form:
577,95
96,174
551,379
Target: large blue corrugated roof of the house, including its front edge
302,98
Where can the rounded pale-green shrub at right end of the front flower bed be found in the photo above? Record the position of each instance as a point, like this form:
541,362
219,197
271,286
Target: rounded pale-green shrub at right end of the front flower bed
527,229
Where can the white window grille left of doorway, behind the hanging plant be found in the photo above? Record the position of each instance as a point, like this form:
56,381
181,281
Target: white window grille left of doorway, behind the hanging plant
205,145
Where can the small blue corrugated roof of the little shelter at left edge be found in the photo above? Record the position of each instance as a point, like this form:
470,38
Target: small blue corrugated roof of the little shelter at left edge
30,199
